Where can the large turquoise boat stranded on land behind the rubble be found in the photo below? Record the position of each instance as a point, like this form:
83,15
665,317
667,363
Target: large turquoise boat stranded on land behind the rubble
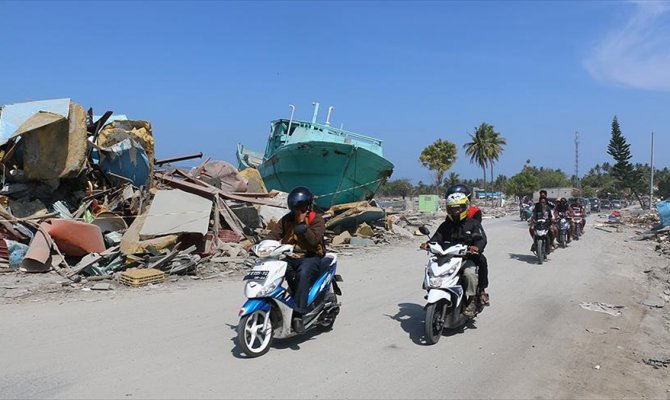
337,165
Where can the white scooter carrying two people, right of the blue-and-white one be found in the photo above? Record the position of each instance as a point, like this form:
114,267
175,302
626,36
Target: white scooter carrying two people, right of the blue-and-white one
446,288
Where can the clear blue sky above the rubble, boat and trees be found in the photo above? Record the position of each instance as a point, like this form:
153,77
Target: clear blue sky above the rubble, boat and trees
211,74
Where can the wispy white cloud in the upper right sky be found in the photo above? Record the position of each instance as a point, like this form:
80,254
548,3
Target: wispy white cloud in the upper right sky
638,53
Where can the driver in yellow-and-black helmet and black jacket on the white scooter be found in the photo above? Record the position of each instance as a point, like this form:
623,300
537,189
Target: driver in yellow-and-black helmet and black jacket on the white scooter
458,228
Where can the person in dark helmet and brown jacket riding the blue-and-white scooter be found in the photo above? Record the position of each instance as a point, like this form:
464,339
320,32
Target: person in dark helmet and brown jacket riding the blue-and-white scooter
305,229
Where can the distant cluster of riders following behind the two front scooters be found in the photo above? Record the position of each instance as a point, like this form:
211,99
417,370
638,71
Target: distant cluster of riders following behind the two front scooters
550,212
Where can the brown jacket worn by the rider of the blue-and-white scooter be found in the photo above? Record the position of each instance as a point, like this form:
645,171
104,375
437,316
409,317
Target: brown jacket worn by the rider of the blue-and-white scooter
310,243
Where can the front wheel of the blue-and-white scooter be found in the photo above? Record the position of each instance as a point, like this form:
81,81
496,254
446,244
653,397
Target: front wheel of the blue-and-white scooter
250,338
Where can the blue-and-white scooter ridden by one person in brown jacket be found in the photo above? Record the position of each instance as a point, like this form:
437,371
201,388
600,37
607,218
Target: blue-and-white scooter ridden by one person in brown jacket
268,312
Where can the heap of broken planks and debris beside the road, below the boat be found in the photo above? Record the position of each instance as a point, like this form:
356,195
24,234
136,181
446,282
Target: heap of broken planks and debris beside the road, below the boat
84,196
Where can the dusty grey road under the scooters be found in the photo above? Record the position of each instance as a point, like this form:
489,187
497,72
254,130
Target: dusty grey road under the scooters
178,343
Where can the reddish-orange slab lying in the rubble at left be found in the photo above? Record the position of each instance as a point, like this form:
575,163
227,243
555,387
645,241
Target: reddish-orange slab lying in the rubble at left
75,238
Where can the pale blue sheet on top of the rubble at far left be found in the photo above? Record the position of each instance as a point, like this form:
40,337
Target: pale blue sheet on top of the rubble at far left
14,115
